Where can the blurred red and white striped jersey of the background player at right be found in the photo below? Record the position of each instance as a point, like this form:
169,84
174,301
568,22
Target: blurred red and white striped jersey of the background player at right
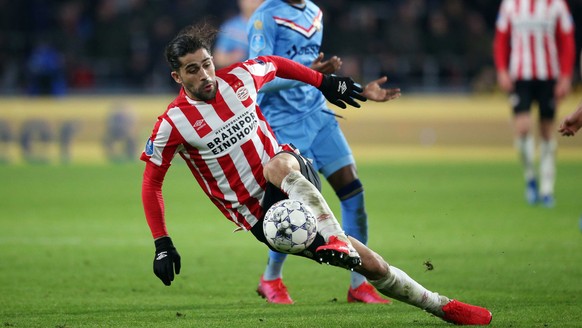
534,39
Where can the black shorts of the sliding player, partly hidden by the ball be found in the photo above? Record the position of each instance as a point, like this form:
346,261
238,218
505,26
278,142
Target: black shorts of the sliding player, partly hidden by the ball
274,194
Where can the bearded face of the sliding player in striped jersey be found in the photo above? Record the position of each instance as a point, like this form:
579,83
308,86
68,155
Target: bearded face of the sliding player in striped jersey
197,75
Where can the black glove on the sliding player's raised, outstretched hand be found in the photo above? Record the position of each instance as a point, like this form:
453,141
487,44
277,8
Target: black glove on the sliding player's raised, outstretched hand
338,90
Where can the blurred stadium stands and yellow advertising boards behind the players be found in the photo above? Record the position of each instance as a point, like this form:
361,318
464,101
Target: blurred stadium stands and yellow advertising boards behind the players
66,67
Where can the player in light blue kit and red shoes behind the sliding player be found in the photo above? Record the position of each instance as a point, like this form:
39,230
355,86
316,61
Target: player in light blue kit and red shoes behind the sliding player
298,115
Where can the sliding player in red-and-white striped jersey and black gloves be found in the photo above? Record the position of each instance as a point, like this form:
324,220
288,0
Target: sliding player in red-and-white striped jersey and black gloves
218,129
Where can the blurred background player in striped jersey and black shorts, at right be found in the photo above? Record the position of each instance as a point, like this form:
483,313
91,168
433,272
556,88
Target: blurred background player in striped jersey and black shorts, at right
534,52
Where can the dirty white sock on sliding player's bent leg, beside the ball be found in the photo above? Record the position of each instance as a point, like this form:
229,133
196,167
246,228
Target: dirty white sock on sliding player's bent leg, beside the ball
299,188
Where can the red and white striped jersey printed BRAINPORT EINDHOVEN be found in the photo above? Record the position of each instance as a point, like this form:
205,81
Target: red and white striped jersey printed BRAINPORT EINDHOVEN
224,141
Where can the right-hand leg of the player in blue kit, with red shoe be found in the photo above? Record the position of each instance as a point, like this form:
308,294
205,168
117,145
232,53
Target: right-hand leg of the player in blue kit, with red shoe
333,156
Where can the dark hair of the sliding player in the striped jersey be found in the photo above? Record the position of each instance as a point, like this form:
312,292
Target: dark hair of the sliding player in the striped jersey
189,40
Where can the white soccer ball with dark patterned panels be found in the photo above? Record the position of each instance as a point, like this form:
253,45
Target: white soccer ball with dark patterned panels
290,226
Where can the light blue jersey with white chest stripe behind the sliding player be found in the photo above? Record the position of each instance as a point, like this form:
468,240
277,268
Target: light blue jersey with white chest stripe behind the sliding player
277,28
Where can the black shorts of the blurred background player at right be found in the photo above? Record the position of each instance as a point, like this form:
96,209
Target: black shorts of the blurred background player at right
542,92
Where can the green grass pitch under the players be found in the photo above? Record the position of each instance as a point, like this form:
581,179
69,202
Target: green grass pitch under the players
76,251
